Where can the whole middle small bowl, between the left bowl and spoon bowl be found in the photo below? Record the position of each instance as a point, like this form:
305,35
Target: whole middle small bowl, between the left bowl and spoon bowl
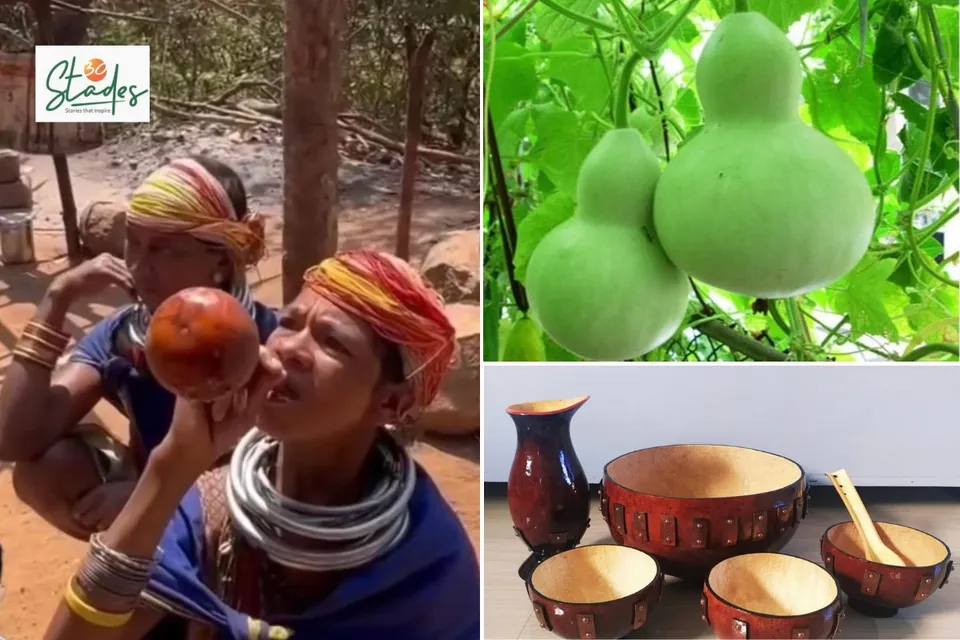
771,595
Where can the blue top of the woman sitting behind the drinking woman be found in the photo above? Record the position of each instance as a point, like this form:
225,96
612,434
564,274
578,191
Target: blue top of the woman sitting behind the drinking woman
151,404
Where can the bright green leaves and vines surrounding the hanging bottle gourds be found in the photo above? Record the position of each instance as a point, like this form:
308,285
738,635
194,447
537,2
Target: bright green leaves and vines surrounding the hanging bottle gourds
552,75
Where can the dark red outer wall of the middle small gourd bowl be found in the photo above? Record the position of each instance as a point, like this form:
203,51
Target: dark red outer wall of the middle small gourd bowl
732,623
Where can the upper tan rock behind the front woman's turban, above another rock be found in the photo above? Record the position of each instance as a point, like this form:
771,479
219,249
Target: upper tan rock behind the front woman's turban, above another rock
452,266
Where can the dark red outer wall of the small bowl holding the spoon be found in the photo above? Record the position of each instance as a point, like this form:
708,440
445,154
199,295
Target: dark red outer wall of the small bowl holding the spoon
880,590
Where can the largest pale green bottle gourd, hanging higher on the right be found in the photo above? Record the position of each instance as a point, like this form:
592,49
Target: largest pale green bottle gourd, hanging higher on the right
759,203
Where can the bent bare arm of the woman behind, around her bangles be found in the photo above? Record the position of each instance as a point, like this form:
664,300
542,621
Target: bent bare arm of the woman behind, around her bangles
37,407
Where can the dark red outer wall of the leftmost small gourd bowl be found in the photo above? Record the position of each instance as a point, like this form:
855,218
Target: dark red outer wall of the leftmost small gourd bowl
613,619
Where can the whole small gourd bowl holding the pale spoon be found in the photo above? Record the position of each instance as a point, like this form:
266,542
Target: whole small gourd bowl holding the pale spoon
880,590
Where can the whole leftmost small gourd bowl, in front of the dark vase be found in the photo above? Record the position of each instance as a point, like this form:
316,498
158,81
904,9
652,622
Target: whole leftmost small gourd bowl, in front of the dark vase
595,591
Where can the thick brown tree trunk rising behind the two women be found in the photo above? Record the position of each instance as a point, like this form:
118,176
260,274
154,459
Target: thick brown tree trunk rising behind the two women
311,92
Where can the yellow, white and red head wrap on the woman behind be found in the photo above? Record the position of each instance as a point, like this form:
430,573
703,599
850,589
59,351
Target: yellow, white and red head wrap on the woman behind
184,196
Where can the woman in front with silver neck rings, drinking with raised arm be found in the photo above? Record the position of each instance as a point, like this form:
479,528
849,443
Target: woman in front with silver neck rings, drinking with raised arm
322,526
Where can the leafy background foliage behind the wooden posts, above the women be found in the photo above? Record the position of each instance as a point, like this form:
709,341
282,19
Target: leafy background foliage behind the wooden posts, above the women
202,48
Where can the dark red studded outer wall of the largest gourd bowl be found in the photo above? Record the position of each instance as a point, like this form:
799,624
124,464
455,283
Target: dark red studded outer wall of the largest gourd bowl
689,536
